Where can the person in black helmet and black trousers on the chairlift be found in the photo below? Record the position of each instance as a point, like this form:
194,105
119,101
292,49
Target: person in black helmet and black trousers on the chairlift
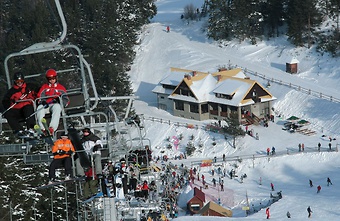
18,104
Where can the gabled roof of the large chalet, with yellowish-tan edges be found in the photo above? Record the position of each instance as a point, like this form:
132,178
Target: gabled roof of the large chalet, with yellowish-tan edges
204,87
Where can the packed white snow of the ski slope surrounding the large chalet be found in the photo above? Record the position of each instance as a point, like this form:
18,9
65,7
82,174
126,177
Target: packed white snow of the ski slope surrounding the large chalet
187,47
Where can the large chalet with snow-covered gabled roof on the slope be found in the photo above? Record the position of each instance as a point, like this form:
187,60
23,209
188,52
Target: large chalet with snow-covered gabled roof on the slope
201,96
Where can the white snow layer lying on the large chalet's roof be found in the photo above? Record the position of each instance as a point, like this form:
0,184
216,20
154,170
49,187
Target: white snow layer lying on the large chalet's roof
205,86
